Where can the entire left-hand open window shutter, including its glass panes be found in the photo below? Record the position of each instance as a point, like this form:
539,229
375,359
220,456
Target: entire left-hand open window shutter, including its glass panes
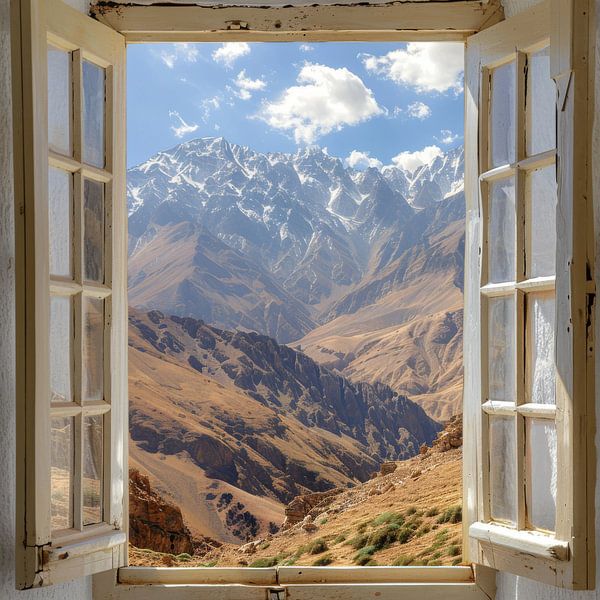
71,252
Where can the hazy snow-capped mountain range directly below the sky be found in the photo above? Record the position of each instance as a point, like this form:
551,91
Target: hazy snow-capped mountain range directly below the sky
266,241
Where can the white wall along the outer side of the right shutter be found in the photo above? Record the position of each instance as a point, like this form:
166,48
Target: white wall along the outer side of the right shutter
519,588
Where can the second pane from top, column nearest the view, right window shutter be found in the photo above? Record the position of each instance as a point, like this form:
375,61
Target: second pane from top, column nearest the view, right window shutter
501,231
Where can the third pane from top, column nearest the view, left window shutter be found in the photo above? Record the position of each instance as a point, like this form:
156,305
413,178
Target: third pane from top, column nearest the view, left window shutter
93,349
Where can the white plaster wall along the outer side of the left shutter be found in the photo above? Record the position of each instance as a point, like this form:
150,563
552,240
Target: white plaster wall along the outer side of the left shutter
77,590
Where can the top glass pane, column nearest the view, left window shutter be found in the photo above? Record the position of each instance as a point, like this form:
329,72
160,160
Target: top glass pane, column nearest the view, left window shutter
93,114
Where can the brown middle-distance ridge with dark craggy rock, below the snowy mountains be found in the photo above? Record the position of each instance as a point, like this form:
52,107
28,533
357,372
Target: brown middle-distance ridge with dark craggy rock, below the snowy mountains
230,425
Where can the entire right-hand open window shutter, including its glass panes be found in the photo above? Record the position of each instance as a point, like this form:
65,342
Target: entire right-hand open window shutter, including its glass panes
529,293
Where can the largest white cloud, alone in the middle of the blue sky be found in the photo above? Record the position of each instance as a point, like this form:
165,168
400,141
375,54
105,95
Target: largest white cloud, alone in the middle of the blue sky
325,100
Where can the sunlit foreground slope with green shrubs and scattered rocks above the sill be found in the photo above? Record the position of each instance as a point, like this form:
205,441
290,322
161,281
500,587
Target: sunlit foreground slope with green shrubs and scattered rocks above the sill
409,513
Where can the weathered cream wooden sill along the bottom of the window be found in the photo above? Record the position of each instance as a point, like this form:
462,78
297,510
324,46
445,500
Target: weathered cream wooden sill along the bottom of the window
293,583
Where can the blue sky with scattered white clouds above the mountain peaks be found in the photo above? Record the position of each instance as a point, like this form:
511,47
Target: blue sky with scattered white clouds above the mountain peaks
371,104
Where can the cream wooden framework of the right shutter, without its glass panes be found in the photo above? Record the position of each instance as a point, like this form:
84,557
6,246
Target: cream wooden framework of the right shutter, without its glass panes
564,559
